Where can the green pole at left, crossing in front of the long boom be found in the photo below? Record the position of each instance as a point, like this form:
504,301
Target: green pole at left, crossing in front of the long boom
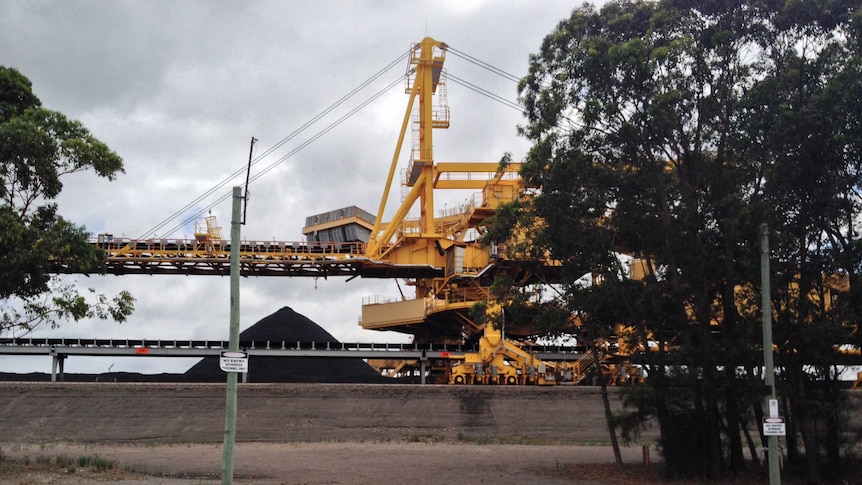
233,345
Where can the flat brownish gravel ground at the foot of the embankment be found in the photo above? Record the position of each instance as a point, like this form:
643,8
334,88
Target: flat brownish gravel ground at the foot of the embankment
322,463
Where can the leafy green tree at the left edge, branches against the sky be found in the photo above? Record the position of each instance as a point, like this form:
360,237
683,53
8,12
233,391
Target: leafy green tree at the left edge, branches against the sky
37,147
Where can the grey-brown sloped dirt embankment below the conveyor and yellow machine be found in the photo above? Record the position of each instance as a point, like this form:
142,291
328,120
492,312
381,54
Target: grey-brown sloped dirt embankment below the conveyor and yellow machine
136,412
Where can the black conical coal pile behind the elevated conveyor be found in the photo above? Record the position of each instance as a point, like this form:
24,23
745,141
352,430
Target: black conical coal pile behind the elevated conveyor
290,327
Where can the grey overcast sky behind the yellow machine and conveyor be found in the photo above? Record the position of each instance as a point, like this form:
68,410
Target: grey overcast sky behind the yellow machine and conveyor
179,88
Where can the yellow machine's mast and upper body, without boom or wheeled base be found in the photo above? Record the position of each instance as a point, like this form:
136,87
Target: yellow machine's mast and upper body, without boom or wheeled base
446,240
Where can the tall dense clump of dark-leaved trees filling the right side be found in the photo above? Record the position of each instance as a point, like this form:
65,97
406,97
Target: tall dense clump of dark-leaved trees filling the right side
669,131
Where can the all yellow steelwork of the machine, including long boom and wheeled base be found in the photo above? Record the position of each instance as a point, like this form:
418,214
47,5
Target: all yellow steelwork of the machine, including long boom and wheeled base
438,253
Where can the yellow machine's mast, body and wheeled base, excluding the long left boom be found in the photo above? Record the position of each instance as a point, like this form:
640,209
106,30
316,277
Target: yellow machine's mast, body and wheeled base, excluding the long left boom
453,270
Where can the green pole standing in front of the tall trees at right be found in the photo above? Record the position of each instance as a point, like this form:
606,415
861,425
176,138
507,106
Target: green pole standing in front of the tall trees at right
768,364
